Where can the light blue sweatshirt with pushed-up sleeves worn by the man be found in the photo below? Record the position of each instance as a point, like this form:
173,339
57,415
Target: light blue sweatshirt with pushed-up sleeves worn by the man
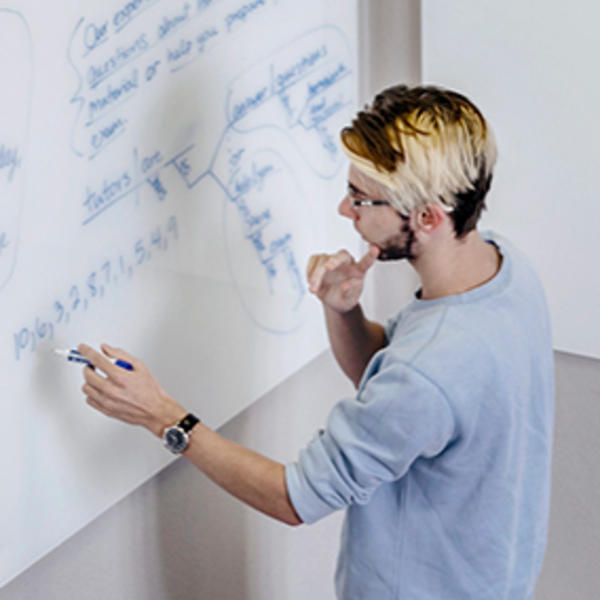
443,457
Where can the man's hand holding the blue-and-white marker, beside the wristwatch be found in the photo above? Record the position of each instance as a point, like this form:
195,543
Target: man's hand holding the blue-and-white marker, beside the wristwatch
134,397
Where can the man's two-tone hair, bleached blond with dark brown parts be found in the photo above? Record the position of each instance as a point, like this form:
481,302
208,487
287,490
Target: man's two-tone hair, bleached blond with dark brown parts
425,145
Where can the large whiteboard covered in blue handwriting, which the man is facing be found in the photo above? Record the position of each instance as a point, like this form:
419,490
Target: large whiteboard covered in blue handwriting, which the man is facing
166,169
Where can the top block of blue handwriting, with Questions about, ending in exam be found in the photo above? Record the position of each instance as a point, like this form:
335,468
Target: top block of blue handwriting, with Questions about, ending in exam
104,88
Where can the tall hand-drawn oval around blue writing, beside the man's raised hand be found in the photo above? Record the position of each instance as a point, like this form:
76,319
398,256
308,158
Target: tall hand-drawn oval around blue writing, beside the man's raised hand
263,221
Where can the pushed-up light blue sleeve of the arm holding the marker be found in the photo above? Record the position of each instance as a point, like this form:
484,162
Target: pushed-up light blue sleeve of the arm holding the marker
396,417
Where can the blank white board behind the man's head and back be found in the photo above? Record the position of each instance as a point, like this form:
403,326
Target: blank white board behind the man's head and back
532,69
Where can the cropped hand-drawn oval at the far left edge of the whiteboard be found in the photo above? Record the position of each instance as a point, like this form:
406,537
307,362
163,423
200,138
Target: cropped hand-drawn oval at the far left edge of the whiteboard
15,102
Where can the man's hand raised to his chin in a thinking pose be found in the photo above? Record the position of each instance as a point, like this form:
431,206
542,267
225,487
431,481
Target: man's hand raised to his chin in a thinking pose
337,279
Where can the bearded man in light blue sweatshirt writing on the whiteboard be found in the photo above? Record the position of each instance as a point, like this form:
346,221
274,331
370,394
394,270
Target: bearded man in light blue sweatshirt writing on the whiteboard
442,459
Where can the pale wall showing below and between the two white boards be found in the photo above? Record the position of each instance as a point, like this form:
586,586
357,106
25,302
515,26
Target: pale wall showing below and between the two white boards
179,536
